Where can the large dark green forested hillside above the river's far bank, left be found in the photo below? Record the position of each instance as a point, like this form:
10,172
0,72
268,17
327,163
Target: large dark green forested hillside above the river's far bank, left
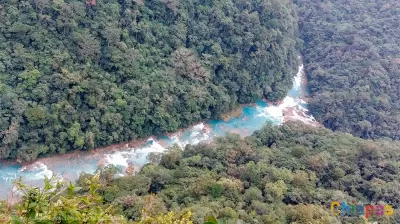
83,74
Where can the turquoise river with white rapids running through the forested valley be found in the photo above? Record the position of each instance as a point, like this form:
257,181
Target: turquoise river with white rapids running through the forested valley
69,166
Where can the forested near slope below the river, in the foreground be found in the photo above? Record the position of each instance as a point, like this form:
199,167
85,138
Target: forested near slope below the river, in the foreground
286,174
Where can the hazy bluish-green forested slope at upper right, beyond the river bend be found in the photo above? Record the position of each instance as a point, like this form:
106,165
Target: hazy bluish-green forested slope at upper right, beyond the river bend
352,57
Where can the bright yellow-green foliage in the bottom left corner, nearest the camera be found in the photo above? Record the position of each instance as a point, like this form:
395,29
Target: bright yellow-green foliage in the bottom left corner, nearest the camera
59,203
